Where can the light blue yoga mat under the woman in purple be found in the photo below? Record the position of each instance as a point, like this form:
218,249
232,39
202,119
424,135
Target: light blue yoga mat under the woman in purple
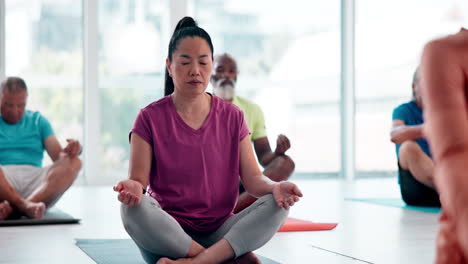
122,251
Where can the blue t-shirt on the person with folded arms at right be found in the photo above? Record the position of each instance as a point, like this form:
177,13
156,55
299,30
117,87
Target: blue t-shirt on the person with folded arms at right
411,115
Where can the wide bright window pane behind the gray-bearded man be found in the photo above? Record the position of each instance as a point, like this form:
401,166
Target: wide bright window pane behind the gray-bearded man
289,61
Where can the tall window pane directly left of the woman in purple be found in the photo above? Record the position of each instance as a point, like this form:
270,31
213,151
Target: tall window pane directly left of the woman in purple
131,71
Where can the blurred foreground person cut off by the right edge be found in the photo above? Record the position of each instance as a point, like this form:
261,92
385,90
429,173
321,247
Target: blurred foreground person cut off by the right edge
445,82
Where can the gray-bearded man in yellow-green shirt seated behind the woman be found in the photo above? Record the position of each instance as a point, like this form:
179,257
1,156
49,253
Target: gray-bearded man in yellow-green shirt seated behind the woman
277,165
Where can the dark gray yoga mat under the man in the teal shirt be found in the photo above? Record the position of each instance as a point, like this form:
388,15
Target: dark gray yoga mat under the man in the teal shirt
51,217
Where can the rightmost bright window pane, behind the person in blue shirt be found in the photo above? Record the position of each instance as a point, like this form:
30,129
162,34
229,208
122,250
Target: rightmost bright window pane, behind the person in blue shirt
390,36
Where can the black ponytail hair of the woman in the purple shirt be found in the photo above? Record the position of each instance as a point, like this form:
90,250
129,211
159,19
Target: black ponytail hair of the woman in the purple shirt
187,27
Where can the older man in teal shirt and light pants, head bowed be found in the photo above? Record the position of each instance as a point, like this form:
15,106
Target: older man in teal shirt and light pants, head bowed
25,186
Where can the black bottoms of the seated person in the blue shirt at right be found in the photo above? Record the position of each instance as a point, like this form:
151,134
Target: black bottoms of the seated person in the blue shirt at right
414,192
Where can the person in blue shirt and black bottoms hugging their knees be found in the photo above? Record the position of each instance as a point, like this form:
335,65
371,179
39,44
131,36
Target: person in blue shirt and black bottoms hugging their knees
415,165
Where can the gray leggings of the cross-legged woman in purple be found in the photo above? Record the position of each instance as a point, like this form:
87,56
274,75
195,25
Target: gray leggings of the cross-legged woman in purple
158,234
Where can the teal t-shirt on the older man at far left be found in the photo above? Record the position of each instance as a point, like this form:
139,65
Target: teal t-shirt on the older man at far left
23,143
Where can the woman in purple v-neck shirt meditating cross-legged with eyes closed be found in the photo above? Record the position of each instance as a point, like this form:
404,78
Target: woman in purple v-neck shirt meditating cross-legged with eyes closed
190,148
